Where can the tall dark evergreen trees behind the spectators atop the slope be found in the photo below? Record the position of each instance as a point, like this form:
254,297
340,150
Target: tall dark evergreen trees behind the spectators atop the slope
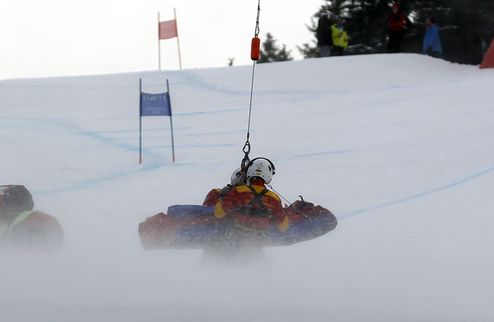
466,26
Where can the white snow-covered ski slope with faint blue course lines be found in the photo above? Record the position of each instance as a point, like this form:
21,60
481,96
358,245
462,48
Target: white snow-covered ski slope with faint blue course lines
399,147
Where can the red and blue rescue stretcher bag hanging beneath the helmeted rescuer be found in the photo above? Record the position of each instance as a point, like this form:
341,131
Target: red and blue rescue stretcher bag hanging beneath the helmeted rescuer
195,227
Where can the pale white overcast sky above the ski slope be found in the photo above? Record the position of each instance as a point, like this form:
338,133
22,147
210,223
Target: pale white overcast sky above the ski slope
73,37
